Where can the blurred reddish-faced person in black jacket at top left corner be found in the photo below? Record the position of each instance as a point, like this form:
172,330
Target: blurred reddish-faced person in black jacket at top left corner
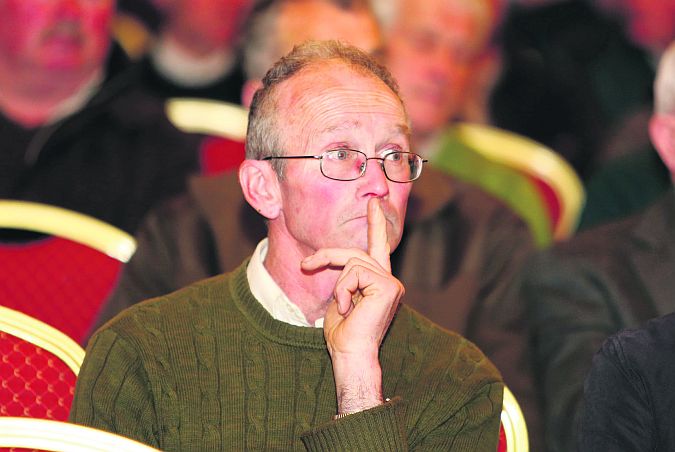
77,132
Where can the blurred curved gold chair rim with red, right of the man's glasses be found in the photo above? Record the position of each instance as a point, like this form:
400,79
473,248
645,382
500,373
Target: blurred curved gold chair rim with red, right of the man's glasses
559,185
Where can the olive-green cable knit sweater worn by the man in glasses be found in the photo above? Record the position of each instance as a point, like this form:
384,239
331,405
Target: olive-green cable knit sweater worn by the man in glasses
207,368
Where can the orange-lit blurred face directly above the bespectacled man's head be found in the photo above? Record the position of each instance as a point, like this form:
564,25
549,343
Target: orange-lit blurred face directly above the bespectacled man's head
305,20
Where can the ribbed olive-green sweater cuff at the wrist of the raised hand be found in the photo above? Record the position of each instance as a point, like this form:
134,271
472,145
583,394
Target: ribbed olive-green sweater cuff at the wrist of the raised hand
380,428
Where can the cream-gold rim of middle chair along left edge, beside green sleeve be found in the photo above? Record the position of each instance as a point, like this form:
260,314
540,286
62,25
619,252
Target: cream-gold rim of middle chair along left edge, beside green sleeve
44,336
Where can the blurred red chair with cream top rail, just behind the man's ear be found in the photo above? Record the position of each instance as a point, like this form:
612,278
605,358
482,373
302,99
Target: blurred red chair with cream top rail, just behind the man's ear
224,125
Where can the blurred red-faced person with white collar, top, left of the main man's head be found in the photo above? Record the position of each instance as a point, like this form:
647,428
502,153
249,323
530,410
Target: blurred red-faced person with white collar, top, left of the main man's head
195,51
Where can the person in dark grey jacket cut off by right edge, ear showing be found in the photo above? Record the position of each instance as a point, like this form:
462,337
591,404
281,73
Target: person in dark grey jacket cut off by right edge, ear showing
605,279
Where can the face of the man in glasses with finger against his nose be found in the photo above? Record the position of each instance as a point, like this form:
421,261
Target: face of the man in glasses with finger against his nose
329,107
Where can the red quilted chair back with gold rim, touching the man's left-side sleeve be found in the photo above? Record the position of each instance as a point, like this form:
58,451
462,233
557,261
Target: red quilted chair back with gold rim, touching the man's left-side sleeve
38,367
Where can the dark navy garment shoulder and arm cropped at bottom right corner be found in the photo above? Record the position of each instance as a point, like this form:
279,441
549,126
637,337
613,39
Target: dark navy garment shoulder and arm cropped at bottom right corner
629,393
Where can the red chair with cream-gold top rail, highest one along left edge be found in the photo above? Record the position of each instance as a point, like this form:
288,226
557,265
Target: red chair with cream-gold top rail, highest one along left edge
63,277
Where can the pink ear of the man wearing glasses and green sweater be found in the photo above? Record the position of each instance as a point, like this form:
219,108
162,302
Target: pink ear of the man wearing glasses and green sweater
260,185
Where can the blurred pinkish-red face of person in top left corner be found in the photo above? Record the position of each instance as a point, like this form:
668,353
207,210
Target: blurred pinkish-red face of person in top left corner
55,35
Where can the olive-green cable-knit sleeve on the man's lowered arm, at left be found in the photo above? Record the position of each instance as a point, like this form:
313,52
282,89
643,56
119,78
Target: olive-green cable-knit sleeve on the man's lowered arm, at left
112,391
